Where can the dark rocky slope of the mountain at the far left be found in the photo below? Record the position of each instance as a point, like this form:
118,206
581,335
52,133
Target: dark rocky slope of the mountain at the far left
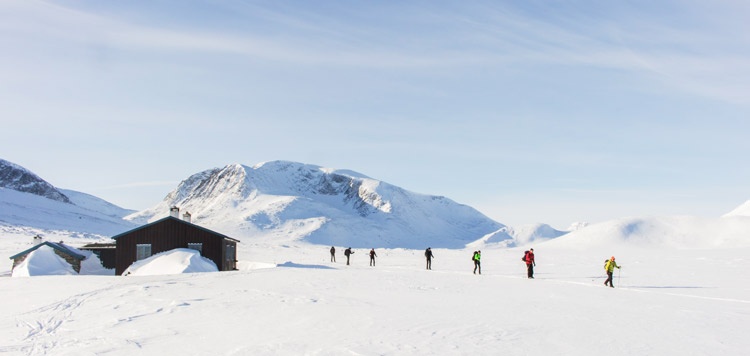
15,177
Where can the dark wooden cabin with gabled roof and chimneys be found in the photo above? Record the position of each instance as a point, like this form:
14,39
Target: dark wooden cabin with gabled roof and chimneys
170,233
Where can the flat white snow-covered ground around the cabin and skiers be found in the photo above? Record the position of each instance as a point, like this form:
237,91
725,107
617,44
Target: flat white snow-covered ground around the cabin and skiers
289,299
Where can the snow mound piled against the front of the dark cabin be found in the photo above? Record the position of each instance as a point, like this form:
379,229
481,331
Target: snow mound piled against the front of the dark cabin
179,260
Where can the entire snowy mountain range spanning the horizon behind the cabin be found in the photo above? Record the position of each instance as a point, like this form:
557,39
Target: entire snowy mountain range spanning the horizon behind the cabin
283,202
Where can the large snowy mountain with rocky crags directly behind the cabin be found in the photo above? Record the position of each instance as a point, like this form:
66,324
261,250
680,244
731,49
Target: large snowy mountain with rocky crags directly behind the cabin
288,200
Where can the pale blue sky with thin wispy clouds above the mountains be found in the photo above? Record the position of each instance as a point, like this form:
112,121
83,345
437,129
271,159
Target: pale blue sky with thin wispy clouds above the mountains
530,111
